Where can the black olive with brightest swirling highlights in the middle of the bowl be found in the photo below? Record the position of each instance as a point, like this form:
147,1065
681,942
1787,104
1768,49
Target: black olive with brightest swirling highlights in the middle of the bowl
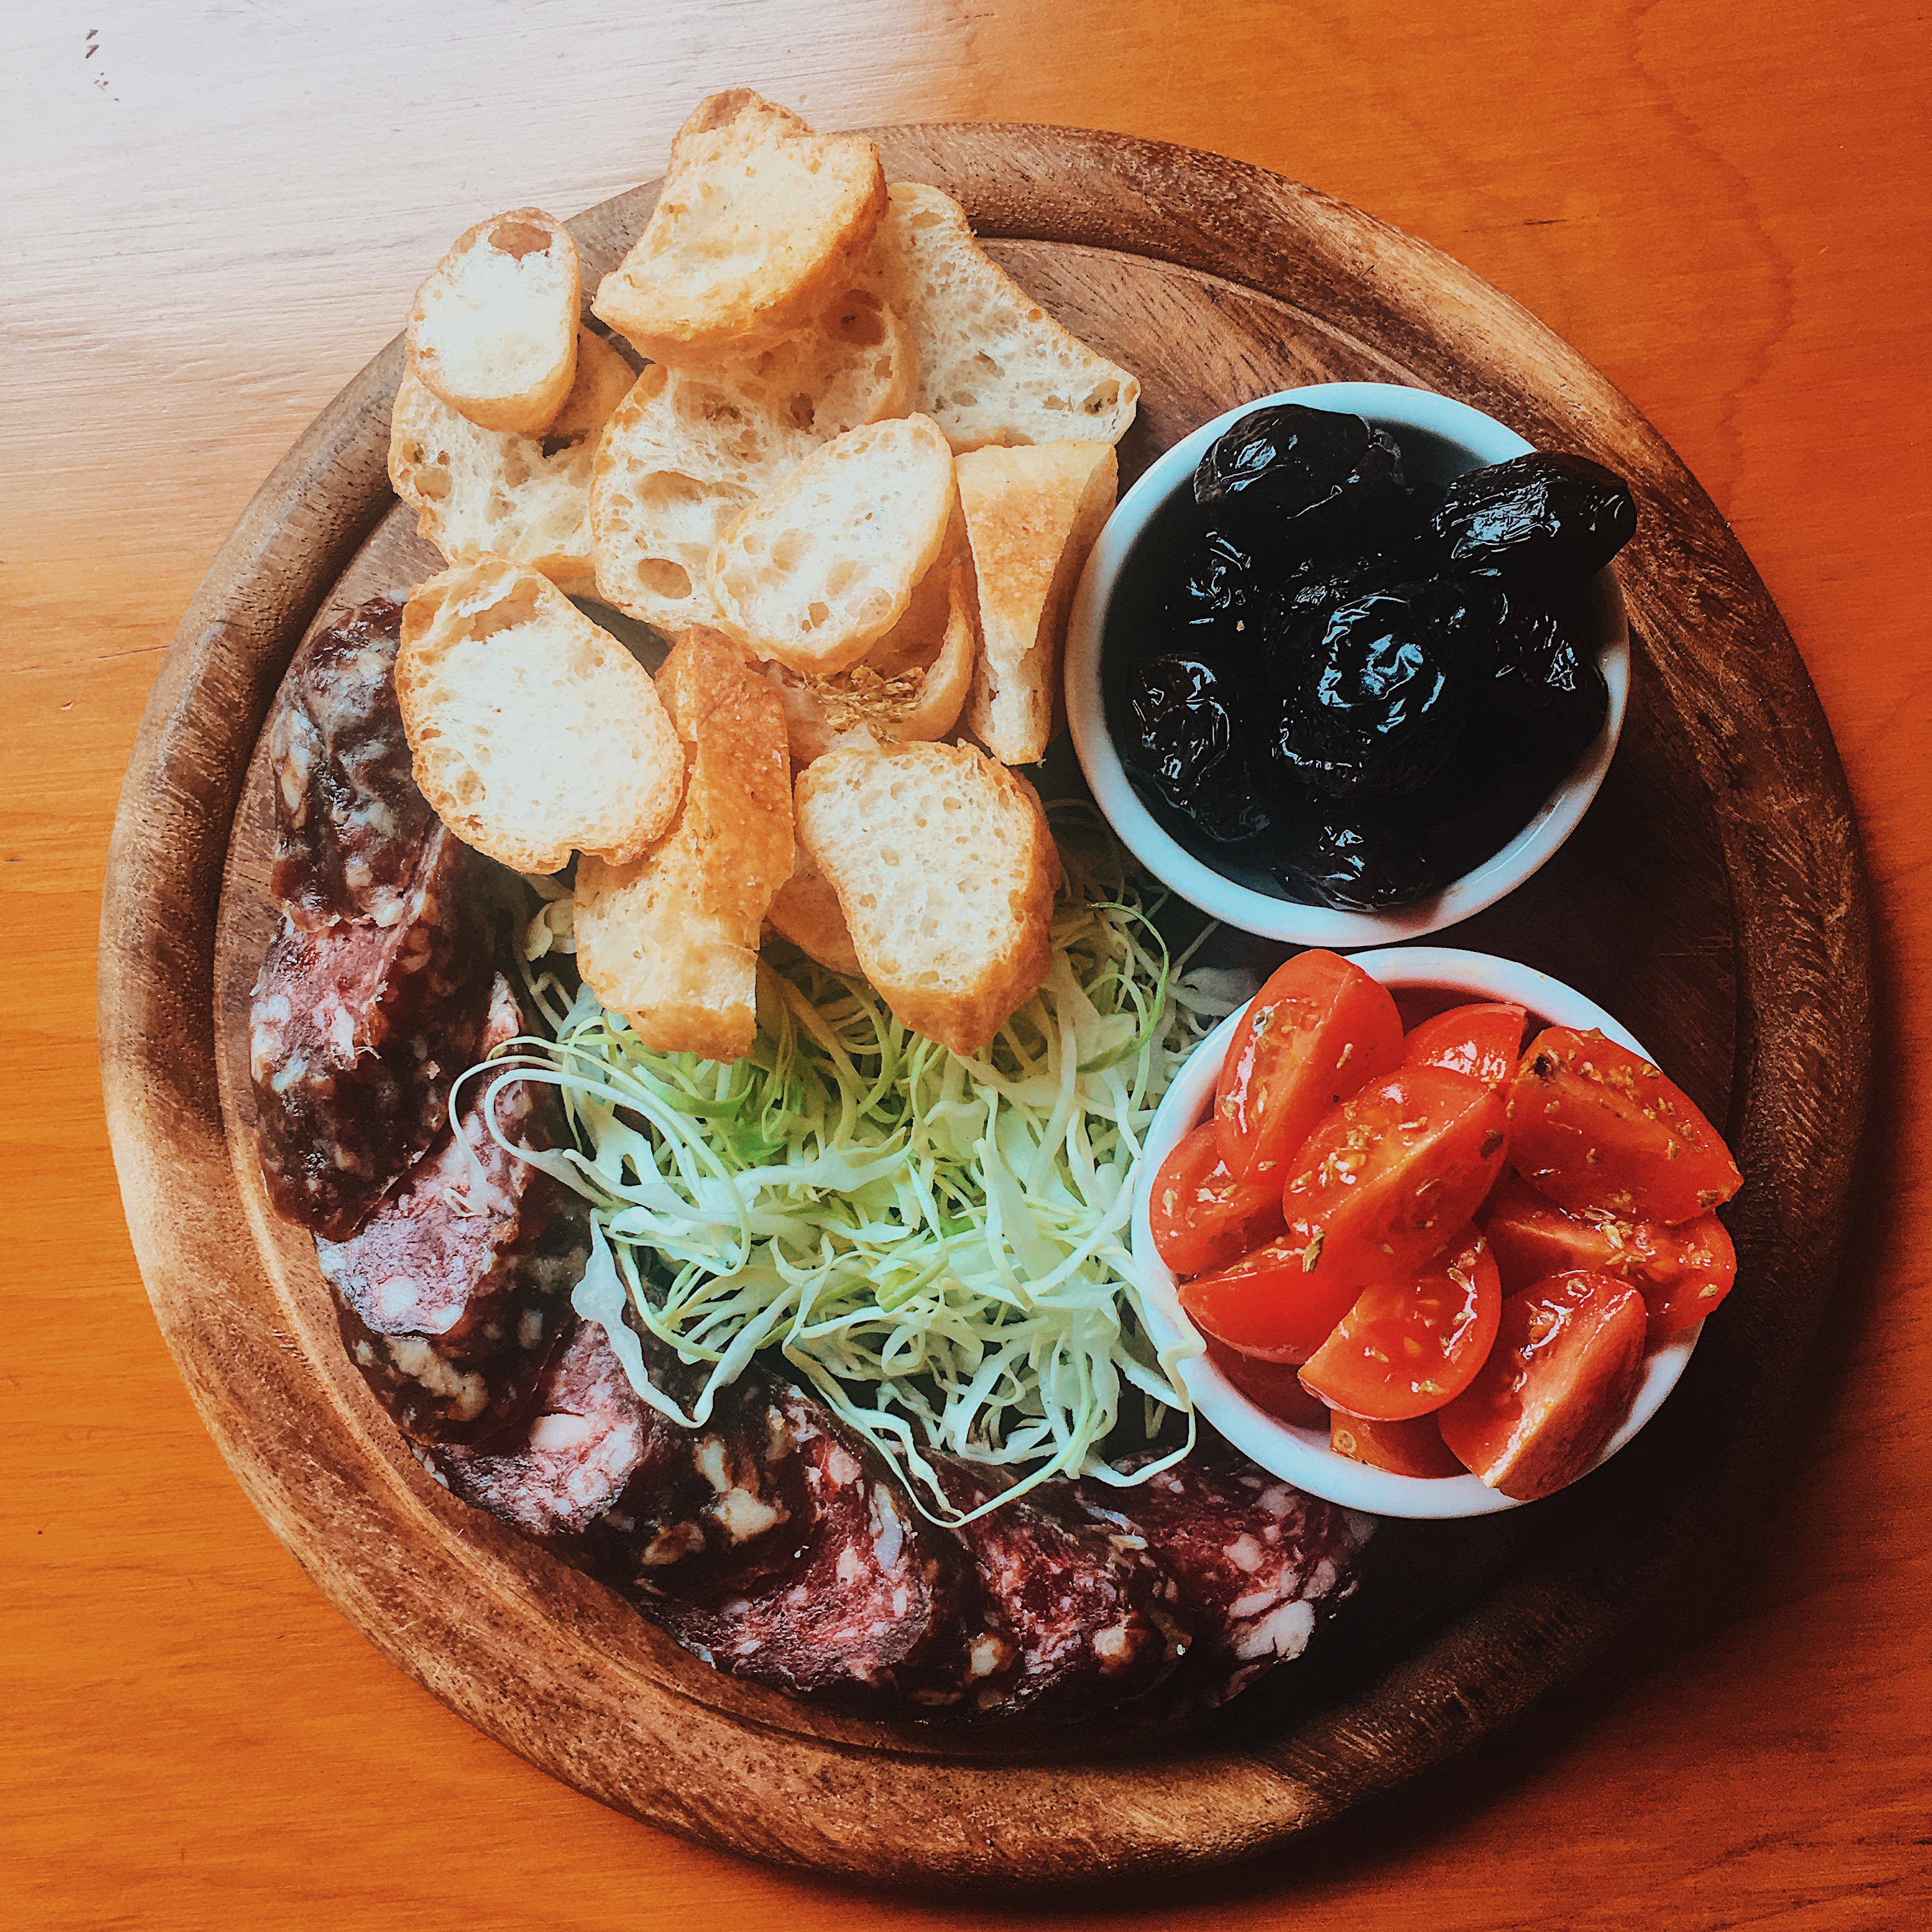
1378,696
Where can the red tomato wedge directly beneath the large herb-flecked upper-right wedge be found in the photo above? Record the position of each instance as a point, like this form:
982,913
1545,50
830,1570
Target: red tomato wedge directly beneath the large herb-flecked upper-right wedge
1682,1272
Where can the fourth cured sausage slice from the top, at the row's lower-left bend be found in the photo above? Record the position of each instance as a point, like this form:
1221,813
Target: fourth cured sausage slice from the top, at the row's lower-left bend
569,1462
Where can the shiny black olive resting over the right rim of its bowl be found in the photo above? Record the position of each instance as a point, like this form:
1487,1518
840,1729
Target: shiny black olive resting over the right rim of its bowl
1547,523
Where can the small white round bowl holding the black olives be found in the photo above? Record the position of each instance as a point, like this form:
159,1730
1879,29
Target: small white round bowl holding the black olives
1438,438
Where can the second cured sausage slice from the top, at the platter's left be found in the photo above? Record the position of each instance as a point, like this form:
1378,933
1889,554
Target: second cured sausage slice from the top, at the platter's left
355,1038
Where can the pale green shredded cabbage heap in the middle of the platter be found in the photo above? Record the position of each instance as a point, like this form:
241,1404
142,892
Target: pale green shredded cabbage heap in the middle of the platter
938,1245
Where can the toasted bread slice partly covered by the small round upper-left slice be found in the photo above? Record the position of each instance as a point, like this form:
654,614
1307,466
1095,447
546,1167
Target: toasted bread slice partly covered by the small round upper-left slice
496,492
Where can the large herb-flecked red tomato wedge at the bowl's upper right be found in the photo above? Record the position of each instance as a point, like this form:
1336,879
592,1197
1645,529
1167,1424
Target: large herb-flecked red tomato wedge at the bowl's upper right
1599,1129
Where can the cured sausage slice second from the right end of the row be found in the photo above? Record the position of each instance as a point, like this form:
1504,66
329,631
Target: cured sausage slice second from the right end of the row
1069,1616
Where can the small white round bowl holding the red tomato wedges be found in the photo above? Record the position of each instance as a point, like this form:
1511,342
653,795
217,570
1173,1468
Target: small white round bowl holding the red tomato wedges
1303,1456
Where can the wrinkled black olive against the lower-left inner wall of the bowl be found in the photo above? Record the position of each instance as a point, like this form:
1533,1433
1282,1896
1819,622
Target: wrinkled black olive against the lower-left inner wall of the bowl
1191,745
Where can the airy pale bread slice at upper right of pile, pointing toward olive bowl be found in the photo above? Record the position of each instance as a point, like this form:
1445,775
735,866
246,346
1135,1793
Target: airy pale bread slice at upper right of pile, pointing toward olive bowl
994,366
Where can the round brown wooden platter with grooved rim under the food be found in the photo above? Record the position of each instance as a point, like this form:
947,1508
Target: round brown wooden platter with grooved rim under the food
1715,899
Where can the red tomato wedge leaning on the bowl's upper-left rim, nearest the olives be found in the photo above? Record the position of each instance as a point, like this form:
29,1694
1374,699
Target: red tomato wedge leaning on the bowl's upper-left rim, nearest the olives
1319,1033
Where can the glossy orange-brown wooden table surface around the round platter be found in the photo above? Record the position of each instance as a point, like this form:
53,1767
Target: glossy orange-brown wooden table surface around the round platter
213,215
